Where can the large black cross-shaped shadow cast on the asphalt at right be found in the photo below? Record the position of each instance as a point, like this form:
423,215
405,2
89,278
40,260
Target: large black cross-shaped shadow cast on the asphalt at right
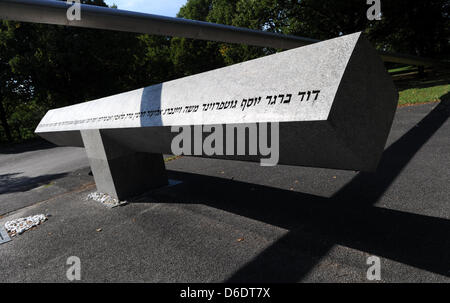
317,223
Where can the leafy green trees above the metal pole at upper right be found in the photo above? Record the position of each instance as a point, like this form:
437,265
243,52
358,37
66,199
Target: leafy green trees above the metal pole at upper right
414,27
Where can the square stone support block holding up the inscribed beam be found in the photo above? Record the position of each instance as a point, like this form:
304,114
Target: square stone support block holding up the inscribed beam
119,171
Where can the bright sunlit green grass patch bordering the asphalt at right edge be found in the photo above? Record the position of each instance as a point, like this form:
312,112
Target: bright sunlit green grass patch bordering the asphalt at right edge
422,95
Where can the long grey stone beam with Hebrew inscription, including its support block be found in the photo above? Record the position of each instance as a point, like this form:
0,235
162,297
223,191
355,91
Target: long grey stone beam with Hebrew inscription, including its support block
333,101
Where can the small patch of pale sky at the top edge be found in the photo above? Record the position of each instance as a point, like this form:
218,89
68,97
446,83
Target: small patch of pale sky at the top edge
158,7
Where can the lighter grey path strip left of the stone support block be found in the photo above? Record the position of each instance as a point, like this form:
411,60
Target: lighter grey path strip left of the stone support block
38,171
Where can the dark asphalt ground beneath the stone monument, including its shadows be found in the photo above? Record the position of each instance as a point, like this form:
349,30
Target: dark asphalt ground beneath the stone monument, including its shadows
297,224
